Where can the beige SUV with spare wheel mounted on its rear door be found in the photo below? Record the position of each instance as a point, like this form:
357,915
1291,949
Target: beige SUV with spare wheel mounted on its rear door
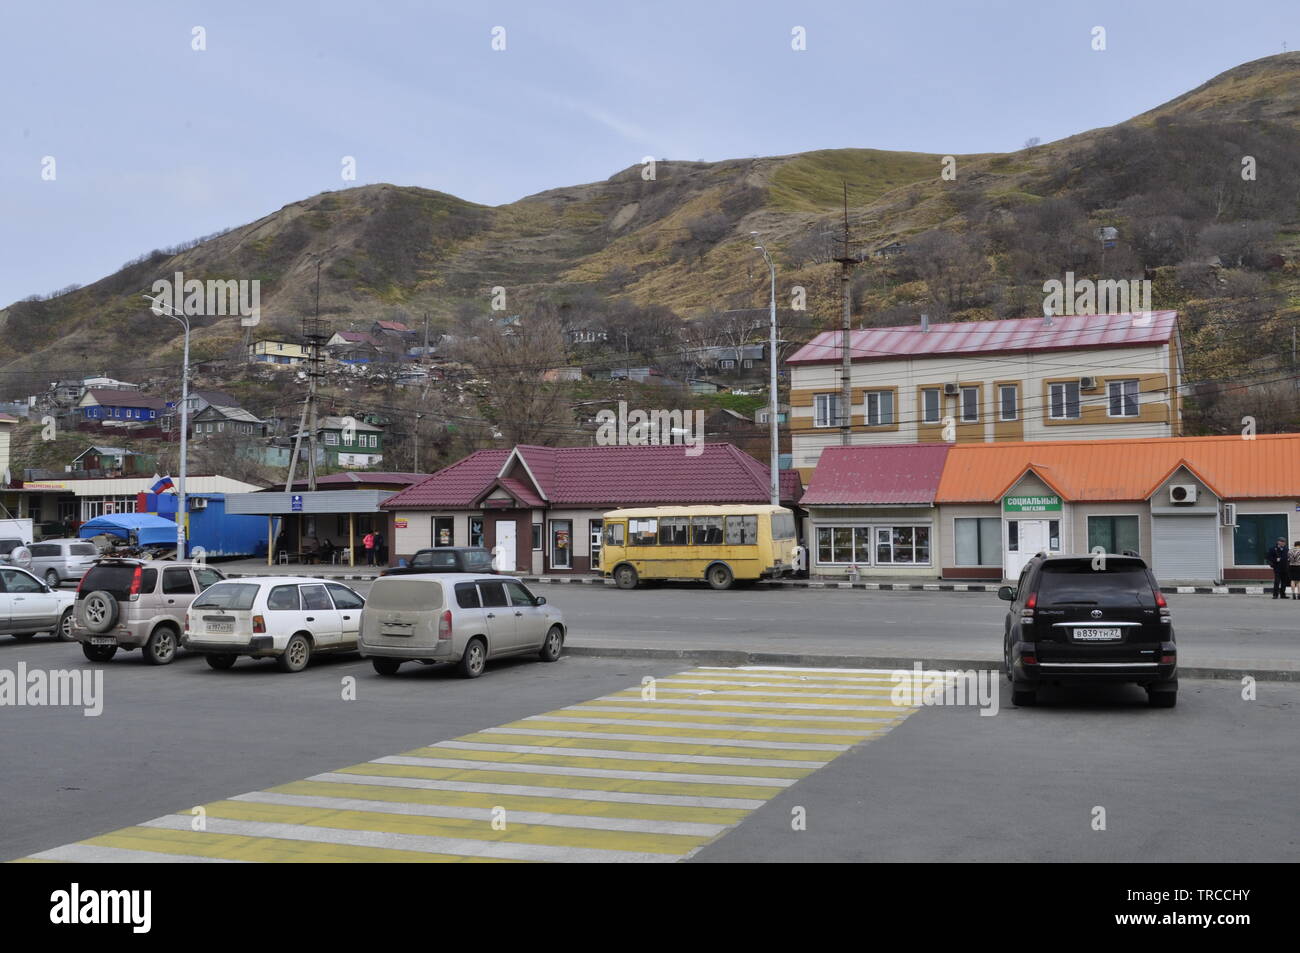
137,604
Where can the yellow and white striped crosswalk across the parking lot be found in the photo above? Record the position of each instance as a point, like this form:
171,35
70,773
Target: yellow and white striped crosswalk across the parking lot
649,774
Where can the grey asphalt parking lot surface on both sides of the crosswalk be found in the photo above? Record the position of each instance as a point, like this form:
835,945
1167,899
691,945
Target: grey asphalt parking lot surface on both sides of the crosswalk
1214,779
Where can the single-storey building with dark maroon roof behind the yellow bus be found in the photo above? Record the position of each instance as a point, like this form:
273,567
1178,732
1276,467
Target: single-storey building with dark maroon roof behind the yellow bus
545,505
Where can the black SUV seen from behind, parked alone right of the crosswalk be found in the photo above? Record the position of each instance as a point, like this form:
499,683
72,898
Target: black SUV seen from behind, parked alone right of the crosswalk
1089,618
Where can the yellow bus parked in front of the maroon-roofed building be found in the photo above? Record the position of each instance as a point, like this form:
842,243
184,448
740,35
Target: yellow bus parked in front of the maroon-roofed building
718,544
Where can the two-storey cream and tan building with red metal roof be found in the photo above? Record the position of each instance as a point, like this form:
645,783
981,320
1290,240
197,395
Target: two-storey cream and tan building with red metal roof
1078,378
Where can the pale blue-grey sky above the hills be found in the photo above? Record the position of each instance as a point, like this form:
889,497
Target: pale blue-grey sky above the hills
155,142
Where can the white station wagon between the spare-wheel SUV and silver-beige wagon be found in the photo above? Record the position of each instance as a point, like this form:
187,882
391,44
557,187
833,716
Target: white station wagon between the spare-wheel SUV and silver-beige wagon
287,618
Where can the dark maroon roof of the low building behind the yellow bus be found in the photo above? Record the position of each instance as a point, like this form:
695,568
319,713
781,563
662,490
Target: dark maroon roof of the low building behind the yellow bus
599,478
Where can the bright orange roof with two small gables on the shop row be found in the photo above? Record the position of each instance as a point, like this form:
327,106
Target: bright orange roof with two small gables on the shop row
1233,467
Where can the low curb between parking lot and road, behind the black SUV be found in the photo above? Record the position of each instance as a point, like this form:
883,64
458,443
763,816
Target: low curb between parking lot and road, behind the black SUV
736,657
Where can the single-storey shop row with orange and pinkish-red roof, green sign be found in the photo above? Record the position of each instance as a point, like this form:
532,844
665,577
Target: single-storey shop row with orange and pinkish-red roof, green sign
1197,509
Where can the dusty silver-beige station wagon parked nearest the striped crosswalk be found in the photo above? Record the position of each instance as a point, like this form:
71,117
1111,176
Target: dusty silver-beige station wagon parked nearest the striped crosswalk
460,618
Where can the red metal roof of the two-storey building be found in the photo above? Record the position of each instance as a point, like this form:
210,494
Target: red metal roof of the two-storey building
1022,335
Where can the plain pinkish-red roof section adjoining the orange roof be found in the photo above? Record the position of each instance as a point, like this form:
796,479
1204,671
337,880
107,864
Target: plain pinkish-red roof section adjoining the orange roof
878,475
